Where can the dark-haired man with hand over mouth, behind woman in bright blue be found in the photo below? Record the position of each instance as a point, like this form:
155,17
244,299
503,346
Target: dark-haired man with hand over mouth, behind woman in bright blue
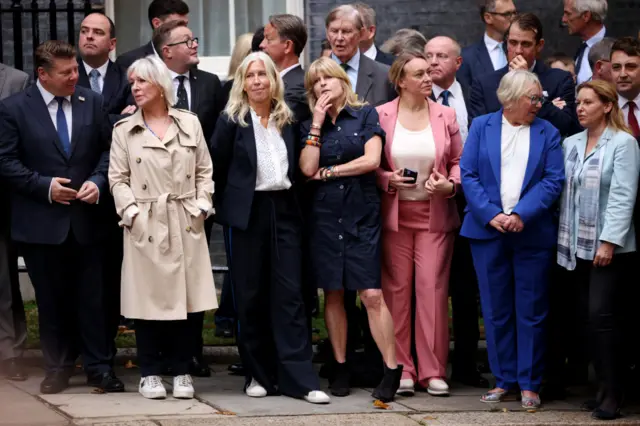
524,43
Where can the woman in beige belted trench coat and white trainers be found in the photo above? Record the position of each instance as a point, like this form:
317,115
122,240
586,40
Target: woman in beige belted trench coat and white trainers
160,175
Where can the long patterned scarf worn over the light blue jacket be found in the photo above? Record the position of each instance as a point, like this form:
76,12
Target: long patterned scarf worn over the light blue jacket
588,207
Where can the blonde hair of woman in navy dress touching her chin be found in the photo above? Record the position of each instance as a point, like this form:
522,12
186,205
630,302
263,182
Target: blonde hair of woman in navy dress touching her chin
327,67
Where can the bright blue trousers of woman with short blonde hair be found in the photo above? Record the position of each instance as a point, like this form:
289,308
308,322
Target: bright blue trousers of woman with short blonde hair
513,280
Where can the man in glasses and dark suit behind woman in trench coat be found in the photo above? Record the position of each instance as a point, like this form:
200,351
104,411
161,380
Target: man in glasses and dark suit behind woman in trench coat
201,93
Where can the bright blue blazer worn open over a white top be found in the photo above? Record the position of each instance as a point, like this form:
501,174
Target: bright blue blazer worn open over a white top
480,169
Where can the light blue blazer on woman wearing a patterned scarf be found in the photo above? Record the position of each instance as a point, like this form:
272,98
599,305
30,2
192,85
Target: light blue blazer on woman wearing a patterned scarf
618,184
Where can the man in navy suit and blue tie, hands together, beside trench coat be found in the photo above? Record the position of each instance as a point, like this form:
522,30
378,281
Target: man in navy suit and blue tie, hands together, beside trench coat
54,155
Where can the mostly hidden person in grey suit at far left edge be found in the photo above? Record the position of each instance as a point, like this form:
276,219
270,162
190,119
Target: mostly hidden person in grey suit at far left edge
13,325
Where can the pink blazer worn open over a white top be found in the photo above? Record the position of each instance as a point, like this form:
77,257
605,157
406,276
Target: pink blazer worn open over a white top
443,213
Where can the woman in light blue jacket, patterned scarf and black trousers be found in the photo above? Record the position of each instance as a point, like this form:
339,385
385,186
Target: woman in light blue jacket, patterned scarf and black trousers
596,236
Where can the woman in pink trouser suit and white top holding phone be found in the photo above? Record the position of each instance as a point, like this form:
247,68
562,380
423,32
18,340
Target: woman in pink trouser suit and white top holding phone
419,219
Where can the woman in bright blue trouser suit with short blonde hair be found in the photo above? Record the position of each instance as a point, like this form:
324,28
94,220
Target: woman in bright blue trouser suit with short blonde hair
512,175
